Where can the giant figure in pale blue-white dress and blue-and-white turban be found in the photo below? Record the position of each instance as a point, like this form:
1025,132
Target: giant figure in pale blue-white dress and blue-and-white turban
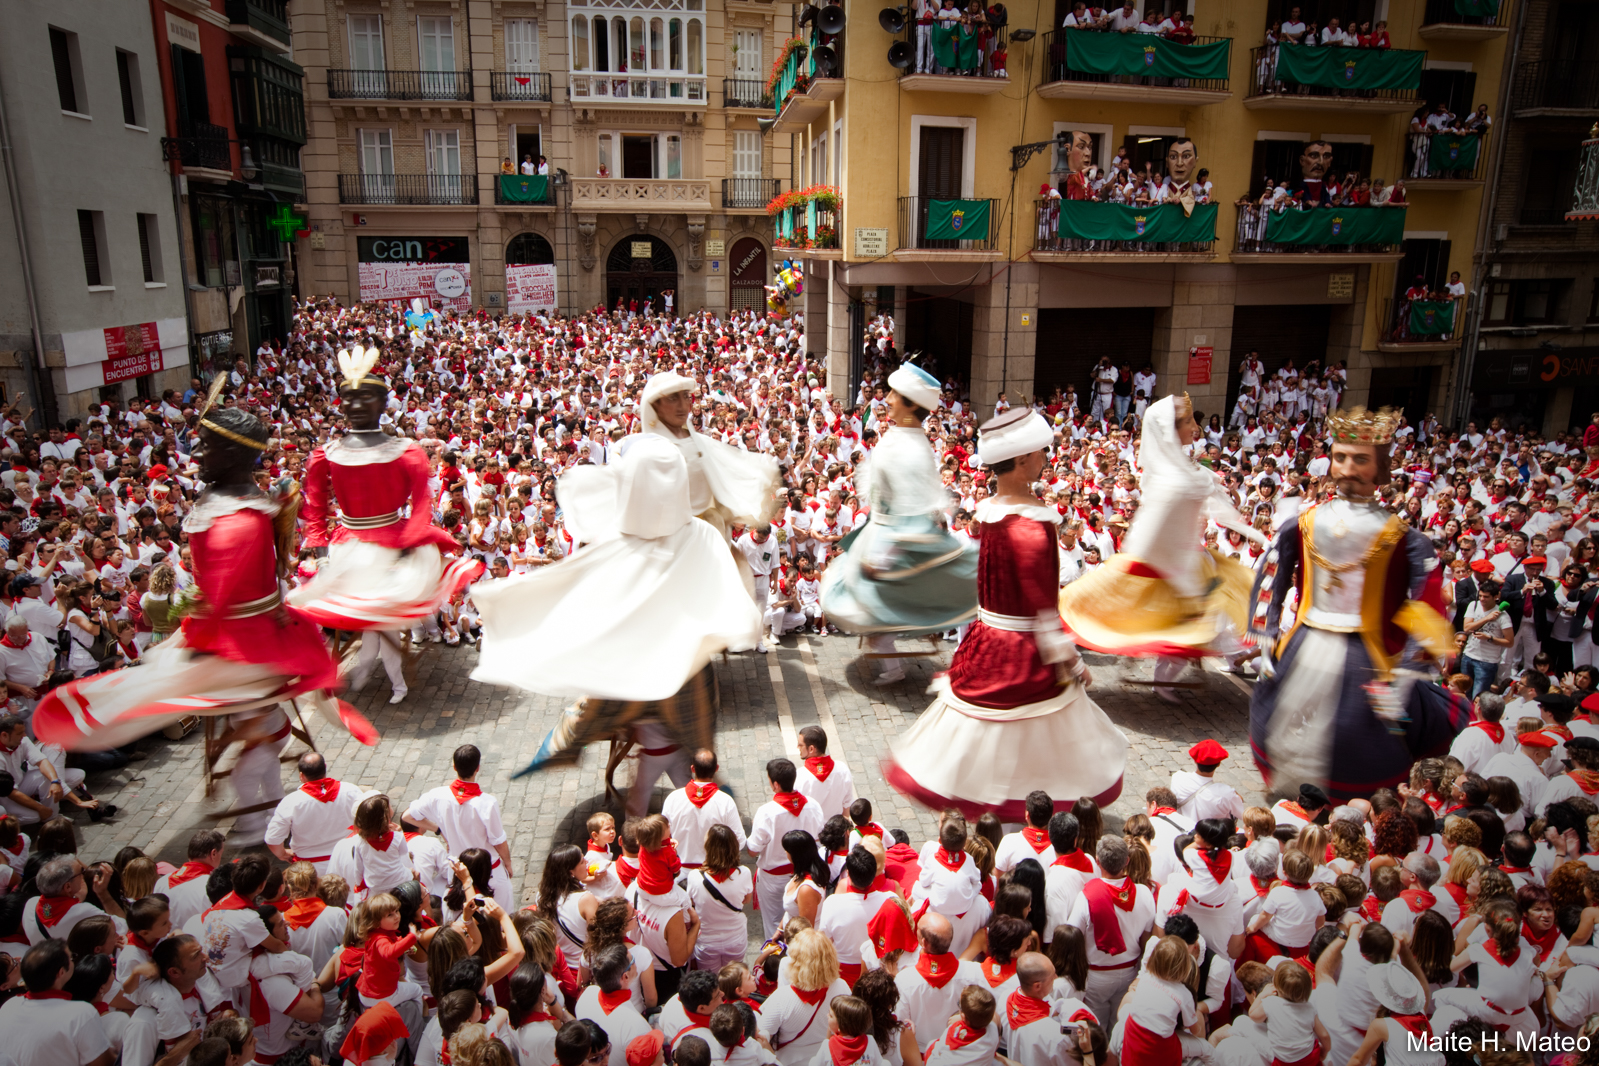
903,575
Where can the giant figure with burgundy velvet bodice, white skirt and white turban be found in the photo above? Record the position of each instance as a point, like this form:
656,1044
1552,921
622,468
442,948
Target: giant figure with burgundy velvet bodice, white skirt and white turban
1013,715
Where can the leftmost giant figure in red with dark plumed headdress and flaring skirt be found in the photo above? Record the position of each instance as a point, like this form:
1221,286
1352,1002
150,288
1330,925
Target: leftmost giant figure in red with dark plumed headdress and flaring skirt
241,648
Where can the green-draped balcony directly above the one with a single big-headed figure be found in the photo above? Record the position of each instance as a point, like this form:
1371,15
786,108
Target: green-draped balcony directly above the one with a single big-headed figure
1362,81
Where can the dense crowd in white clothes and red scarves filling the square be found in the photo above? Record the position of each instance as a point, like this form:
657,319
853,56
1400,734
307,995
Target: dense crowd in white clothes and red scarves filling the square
377,931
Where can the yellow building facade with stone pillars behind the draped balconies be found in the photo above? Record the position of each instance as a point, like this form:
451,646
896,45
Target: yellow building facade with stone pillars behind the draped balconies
1026,311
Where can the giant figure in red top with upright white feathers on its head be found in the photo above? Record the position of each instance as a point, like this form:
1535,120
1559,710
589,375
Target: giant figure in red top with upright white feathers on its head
385,570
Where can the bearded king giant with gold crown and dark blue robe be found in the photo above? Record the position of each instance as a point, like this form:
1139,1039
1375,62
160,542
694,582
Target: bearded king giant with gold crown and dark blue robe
1344,702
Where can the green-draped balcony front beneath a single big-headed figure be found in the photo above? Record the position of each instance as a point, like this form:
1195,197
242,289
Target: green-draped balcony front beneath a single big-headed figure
1320,236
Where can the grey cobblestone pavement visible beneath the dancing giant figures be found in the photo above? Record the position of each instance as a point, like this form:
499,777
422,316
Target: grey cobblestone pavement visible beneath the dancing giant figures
764,701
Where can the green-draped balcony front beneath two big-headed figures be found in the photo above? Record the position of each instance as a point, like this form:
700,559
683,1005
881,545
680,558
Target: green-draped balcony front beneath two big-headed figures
1083,231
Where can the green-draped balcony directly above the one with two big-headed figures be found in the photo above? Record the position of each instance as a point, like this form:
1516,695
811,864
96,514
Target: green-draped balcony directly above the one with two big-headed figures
1083,65
